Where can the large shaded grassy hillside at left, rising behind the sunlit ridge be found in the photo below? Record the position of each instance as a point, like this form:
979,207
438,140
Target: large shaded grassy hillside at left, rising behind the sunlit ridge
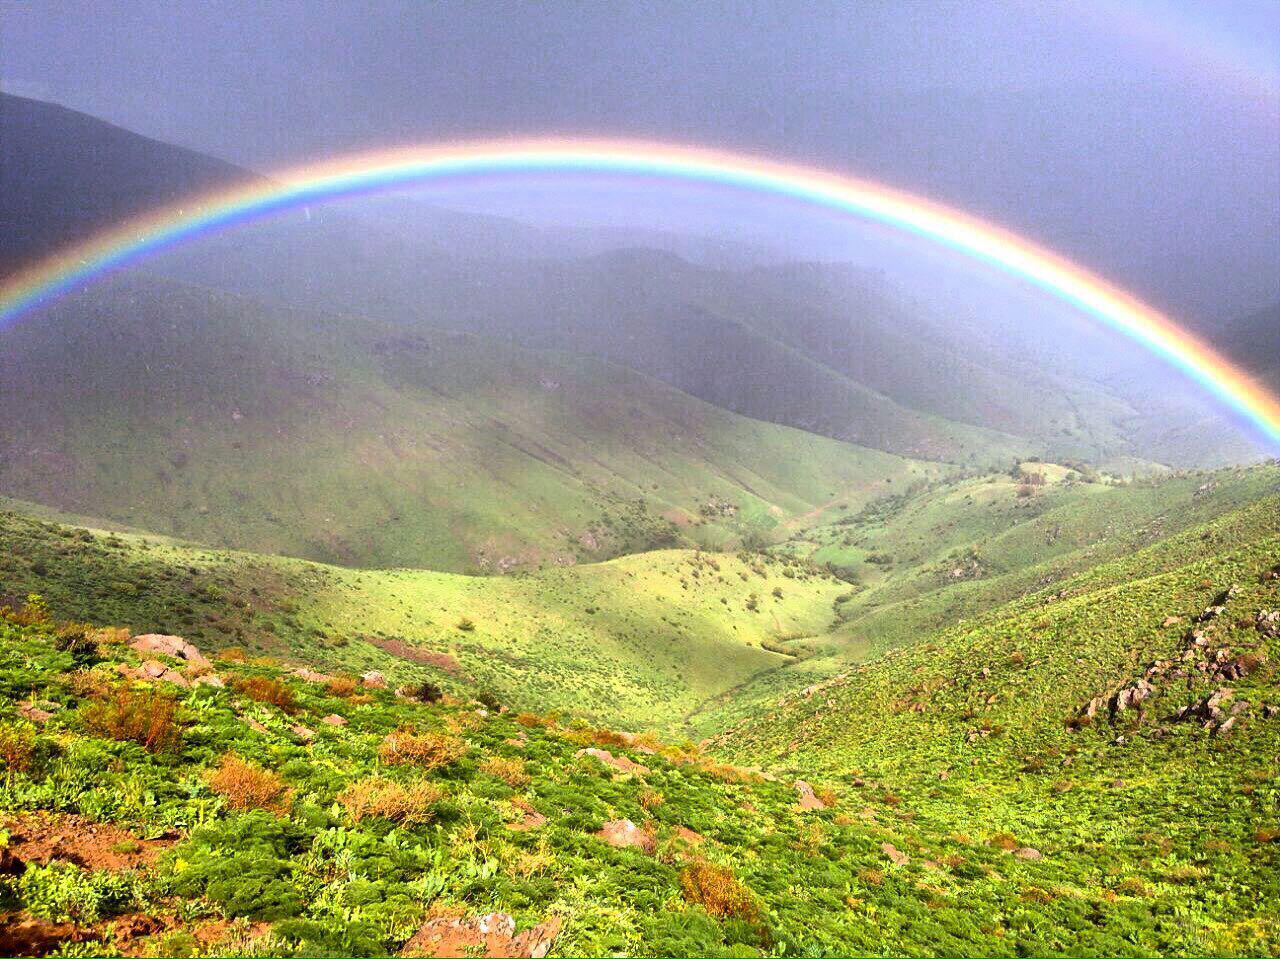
240,424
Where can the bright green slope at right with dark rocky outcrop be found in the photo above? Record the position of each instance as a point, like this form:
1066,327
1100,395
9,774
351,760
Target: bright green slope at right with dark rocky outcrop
1153,820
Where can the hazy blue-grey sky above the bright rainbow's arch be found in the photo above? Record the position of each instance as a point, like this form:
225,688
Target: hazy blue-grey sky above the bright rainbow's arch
1140,138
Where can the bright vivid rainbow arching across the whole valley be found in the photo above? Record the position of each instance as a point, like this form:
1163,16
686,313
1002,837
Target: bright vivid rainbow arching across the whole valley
872,202
